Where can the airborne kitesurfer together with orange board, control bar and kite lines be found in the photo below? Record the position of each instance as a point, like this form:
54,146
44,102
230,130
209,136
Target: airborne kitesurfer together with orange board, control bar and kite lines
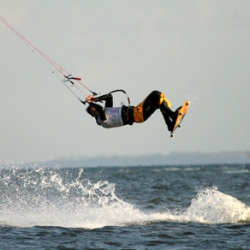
109,116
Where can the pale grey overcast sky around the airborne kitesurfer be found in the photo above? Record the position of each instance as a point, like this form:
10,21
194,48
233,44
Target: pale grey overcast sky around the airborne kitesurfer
196,50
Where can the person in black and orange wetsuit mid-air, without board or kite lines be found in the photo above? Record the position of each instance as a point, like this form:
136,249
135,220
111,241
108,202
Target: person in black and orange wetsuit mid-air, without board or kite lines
110,117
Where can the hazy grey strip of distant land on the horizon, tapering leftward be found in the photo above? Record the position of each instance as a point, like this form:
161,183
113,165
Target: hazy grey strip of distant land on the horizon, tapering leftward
175,158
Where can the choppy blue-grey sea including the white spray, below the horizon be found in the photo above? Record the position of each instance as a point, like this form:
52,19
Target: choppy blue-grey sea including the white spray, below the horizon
157,207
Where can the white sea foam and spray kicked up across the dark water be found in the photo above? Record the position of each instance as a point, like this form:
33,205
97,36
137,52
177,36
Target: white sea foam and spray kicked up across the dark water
38,199
